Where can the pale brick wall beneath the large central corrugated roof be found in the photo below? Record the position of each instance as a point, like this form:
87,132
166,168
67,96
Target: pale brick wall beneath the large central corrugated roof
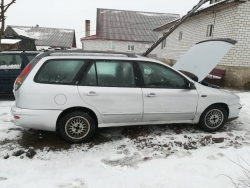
120,46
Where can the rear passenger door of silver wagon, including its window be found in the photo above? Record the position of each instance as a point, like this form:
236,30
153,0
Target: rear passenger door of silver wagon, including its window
111,87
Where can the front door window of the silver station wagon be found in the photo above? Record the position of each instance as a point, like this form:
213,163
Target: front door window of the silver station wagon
159,76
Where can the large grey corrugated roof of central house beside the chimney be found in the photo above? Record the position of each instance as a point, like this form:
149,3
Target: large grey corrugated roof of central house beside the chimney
130,25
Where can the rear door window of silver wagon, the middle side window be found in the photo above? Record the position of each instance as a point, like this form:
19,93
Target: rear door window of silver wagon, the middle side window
111,74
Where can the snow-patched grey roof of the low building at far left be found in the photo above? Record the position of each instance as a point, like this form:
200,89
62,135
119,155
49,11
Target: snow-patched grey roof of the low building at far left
44,36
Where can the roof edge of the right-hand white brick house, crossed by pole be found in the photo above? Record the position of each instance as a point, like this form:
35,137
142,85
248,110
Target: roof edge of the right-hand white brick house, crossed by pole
223,4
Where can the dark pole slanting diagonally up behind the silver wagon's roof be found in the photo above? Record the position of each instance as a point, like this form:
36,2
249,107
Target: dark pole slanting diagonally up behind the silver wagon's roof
176,25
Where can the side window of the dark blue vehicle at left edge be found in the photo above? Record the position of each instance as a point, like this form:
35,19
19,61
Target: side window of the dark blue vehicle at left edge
10,61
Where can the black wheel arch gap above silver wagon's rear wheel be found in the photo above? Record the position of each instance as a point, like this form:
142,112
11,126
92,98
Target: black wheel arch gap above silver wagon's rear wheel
76,108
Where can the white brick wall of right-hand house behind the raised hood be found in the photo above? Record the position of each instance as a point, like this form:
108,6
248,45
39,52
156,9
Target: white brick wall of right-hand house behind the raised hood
231,23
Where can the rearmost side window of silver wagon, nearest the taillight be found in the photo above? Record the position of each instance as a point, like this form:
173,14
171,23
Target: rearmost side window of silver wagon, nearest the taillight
59,71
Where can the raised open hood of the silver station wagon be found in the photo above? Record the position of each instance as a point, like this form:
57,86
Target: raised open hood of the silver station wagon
201,59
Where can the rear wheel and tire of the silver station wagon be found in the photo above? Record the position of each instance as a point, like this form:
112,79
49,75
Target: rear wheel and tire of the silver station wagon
77,127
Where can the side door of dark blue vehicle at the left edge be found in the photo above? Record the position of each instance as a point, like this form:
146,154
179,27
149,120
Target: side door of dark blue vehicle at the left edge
11,65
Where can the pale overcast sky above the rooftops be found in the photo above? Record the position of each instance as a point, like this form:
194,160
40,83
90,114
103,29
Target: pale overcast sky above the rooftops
71,14
